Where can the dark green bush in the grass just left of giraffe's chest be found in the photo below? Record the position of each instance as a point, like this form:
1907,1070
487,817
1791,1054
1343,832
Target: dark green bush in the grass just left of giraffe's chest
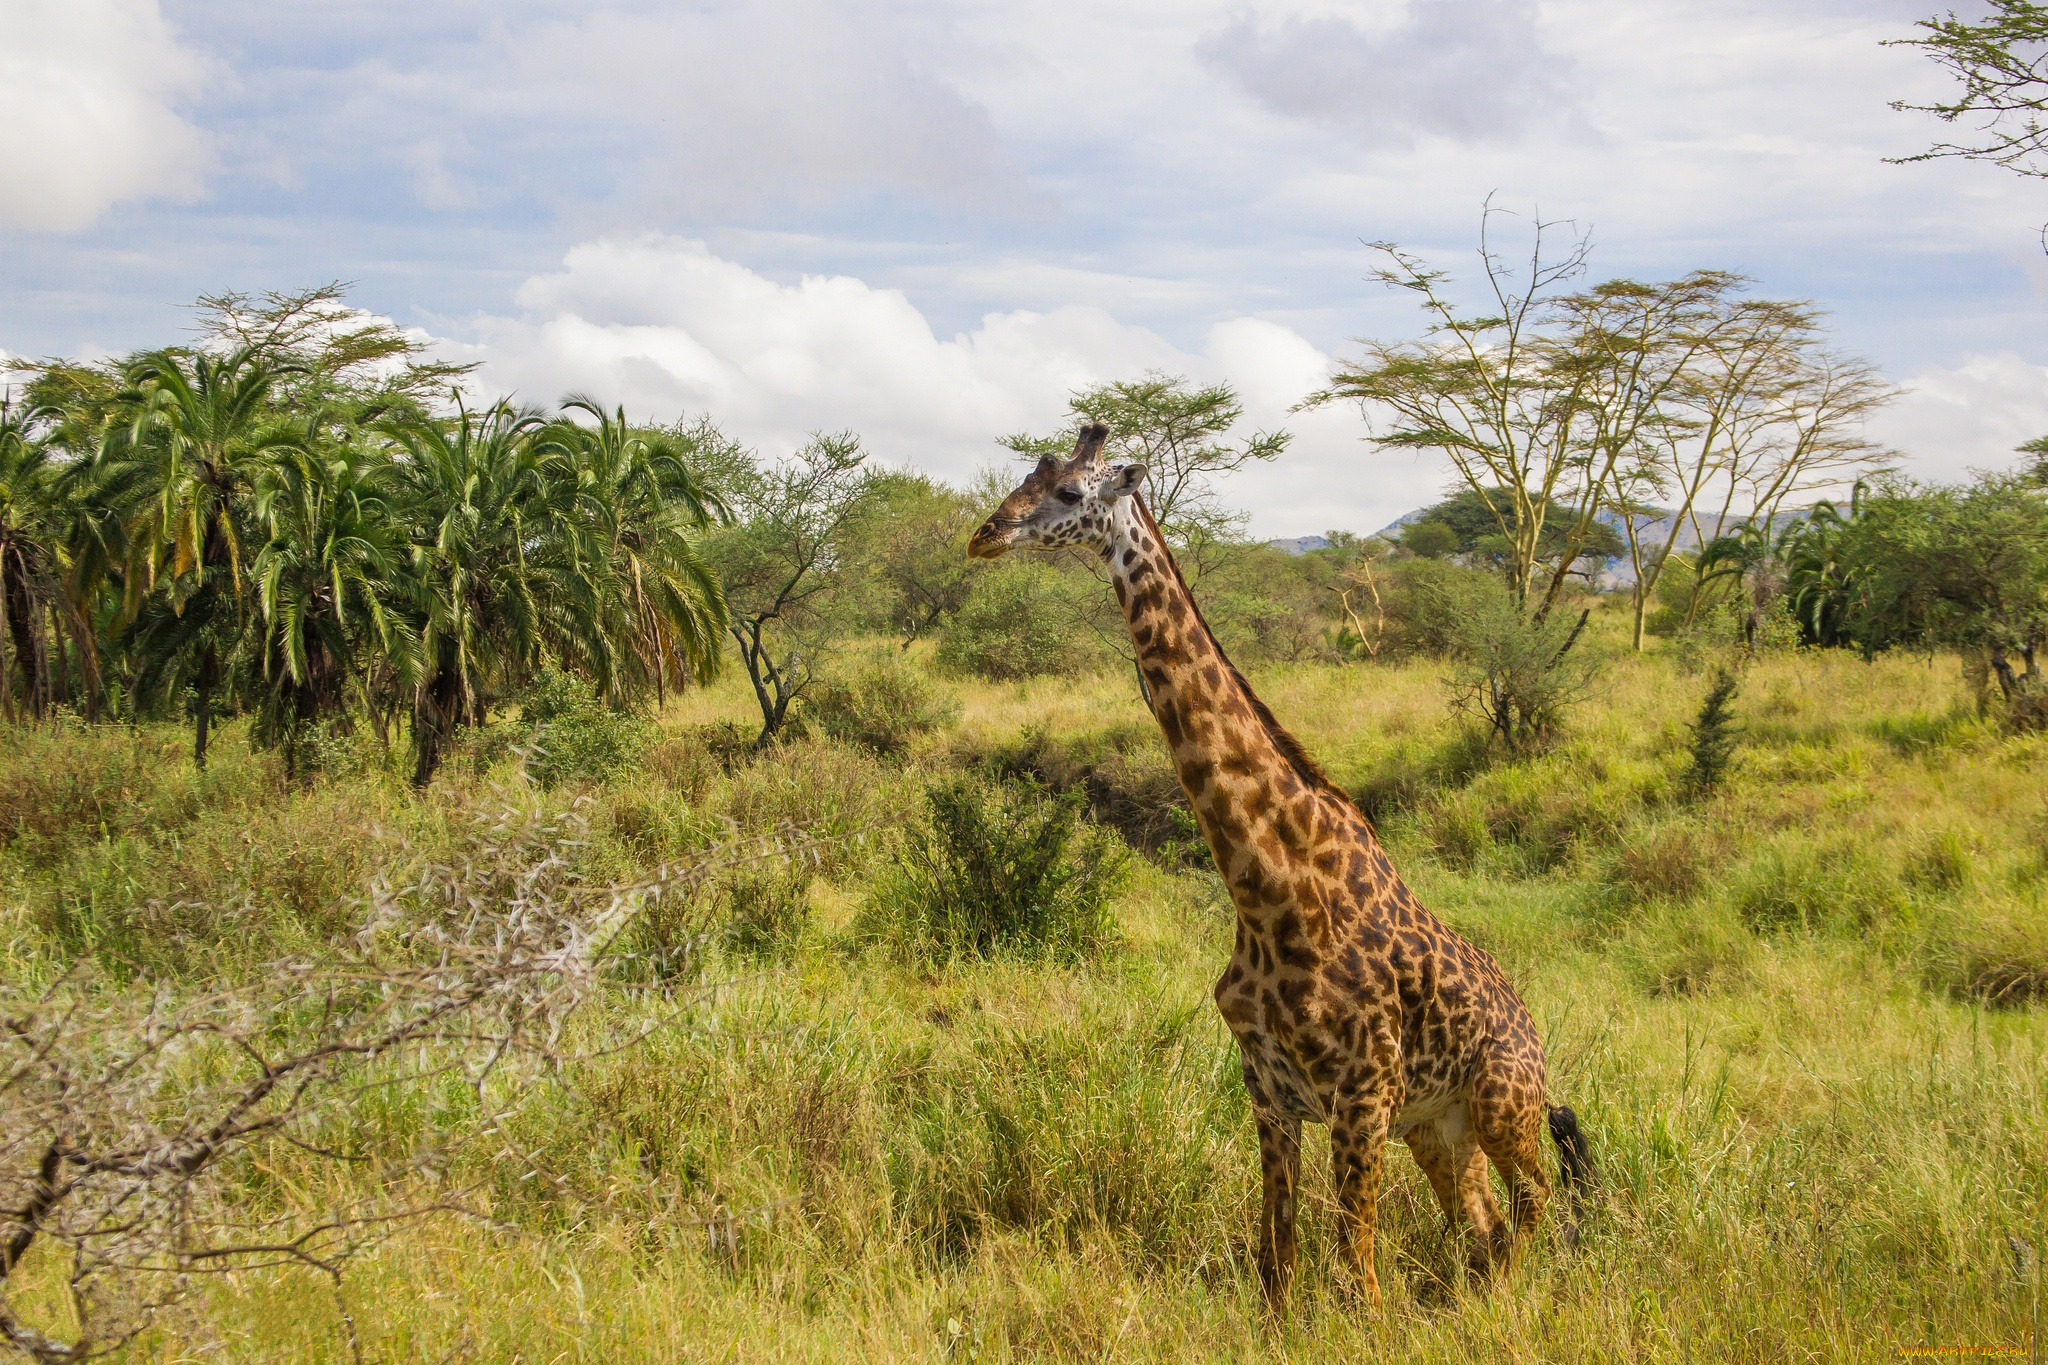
1002,869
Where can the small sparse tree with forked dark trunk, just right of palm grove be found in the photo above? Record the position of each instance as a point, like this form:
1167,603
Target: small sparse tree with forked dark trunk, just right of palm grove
783,564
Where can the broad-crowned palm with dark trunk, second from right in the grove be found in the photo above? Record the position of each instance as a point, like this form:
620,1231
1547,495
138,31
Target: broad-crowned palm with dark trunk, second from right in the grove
497,576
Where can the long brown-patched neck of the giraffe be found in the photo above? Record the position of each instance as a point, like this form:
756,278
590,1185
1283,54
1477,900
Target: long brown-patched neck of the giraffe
1250,799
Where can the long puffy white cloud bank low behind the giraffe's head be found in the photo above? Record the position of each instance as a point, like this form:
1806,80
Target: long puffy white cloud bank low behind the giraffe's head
665,326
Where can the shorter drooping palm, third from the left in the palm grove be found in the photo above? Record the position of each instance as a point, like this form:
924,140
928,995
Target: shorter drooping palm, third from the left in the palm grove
329,582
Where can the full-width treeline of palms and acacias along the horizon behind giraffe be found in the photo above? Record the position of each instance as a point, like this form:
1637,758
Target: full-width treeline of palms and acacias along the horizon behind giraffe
290,519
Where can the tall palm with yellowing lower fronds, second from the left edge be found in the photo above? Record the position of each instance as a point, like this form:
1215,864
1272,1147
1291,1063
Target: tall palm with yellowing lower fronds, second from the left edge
198,437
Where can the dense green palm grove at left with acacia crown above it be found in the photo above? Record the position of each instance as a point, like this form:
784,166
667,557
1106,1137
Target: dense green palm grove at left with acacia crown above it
282,521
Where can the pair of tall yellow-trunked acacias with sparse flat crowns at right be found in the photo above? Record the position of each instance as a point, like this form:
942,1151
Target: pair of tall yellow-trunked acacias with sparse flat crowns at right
1562,410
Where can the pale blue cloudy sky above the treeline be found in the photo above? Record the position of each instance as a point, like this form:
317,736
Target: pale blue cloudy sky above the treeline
933,222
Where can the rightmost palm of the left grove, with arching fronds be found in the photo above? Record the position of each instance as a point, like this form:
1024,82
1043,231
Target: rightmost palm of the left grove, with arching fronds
638,502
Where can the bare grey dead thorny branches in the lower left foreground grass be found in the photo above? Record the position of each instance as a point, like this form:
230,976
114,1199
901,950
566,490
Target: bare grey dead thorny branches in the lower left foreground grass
142,1127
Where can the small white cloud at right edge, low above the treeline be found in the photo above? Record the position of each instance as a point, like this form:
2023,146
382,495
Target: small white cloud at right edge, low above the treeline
1967,416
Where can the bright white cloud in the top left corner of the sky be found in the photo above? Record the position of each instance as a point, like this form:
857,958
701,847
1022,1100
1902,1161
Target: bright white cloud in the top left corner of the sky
89,93
